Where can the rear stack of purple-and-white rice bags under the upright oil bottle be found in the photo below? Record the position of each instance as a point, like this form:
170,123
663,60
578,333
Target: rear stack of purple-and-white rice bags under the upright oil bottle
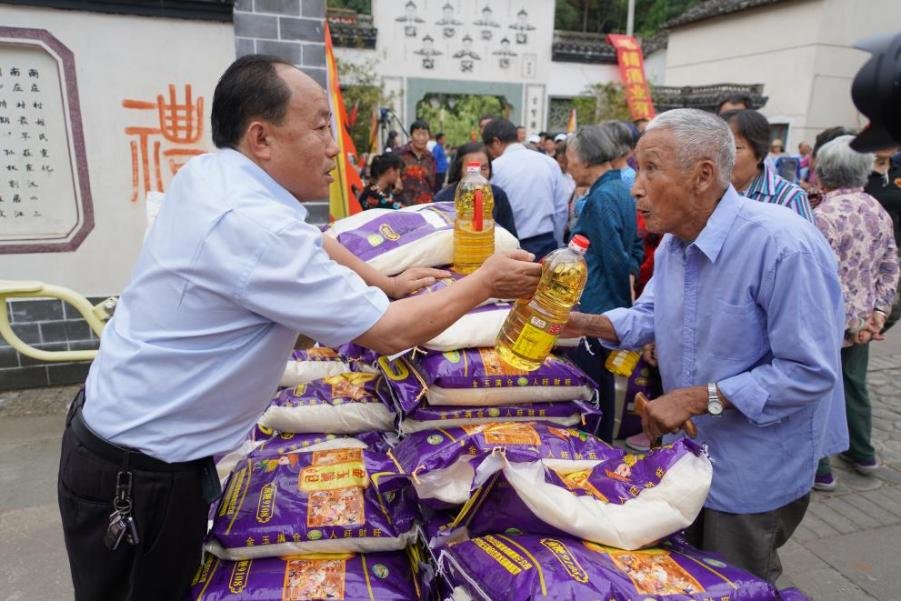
457,378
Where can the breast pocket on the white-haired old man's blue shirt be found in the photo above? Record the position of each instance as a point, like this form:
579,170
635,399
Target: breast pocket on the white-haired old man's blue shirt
737,331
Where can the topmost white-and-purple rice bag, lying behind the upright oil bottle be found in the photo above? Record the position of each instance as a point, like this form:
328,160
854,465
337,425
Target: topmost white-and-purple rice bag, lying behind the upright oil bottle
417,236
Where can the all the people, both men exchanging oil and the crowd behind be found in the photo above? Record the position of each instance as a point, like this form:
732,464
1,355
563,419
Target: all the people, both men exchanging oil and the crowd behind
755,298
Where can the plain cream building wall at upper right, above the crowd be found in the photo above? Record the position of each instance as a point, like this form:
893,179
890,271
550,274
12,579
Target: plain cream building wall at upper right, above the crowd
801,51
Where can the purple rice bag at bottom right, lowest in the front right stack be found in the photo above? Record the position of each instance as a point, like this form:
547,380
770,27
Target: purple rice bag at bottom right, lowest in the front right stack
515,568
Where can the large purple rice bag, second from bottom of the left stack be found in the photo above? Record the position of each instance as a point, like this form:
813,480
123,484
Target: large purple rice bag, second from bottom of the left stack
340,500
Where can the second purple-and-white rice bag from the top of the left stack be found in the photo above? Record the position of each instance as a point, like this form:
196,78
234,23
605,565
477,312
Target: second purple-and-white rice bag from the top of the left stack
345,403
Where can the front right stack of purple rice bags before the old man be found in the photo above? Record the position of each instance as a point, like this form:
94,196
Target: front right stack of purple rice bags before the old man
555,513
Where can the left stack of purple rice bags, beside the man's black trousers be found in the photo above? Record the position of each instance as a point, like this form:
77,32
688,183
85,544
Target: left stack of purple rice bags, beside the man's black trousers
317,508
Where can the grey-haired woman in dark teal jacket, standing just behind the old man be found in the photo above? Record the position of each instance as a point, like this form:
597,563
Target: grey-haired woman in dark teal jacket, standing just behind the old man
608,221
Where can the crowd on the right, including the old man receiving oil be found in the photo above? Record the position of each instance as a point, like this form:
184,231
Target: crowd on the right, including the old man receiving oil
774,303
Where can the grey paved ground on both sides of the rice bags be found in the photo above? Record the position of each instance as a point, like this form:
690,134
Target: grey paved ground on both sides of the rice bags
847,548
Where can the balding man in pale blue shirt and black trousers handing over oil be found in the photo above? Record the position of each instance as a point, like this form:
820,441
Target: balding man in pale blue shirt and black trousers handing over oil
228,276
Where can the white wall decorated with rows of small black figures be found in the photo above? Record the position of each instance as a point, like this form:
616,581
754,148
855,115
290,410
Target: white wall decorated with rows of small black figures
408,66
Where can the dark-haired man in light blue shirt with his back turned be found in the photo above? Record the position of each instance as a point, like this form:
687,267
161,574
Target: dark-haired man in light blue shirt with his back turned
536,187
